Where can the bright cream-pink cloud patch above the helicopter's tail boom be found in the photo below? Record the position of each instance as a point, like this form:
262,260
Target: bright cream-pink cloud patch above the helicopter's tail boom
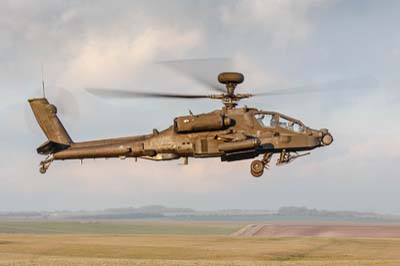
104,60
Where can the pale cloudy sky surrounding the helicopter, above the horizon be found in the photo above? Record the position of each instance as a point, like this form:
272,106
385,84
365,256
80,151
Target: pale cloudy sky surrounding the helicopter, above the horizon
276,44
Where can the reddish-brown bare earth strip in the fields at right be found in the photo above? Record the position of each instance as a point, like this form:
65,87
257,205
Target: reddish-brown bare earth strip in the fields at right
320,230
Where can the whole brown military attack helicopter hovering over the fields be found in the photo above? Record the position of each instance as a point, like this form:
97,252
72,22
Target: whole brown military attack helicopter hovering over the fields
231,133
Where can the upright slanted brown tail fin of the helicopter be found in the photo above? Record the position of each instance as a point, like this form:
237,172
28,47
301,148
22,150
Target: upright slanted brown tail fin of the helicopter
46,116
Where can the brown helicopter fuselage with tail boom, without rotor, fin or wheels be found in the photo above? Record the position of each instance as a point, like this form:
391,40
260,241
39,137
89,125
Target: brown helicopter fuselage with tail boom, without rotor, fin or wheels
232,134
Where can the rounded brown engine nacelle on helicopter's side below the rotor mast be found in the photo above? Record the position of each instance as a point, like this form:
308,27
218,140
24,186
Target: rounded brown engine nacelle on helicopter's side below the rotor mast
197,123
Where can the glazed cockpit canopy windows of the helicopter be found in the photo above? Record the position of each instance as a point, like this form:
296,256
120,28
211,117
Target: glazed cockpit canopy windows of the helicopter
273,120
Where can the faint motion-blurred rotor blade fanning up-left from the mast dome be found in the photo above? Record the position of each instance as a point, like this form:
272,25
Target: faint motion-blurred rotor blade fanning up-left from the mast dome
204,71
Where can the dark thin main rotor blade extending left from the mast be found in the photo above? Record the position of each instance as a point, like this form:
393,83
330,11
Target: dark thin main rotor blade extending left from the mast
108,93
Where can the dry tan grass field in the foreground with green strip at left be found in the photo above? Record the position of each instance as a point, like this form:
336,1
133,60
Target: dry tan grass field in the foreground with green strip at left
181,247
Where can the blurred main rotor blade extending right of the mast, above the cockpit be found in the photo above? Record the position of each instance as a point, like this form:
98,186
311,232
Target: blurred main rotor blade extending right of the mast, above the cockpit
362,83
